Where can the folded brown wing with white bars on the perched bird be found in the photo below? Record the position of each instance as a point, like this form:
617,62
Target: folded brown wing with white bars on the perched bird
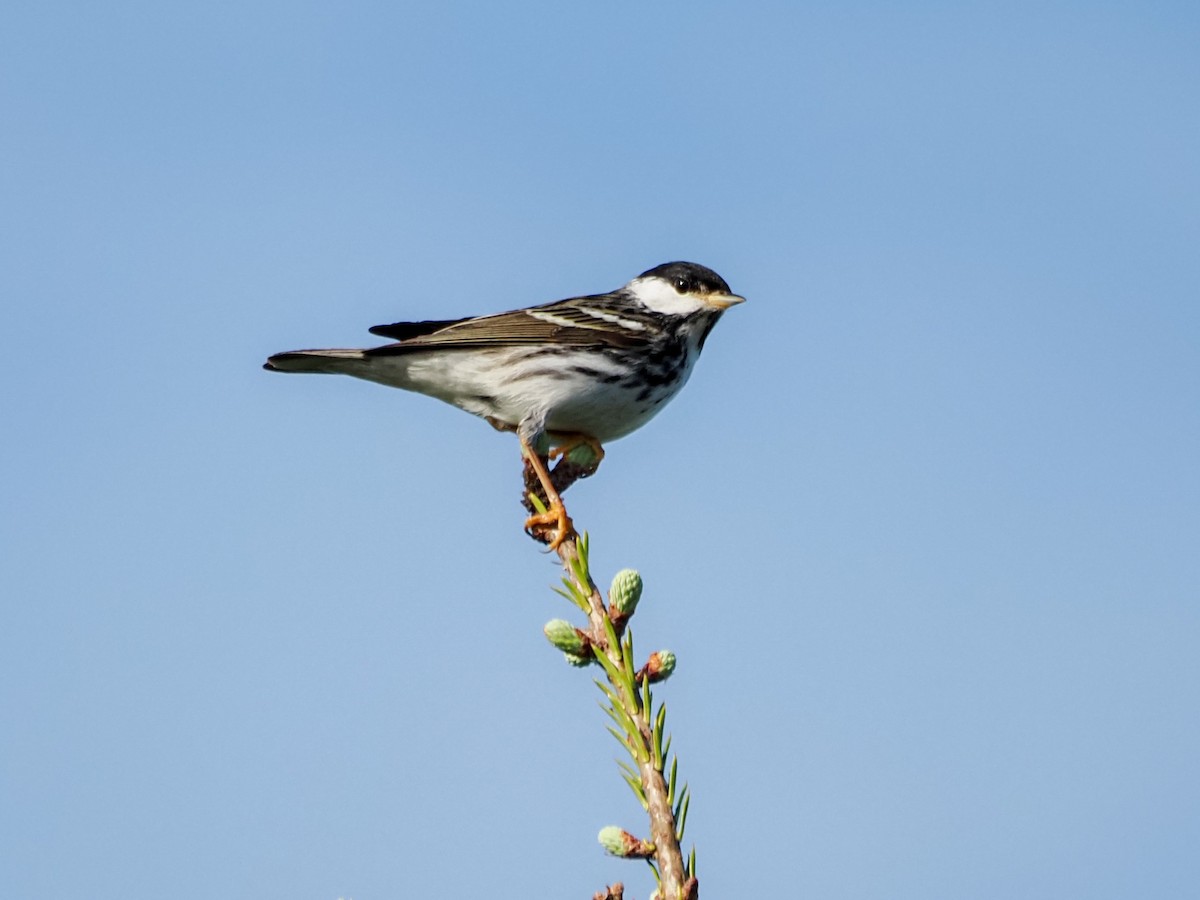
590,321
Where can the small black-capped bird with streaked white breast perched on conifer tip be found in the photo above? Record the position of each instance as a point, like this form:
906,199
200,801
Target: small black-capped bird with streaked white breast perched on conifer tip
581,371
